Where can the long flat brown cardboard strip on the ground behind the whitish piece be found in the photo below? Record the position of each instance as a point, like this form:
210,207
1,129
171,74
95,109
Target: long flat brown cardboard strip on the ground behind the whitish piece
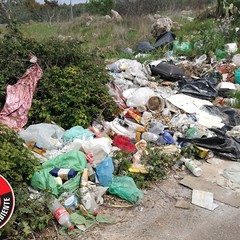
220,194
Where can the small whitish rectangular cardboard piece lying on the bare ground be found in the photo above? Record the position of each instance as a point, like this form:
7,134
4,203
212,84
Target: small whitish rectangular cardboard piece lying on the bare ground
203,199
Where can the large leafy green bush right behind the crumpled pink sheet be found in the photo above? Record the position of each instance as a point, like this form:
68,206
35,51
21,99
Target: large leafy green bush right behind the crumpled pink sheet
73,86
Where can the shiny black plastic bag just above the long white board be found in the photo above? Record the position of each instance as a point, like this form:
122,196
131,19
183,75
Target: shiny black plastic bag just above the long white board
202,88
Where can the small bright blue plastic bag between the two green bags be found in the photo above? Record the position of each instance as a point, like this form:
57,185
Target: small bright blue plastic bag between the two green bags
104,171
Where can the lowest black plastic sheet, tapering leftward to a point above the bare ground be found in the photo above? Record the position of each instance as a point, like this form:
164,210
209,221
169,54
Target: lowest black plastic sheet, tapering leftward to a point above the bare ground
227,147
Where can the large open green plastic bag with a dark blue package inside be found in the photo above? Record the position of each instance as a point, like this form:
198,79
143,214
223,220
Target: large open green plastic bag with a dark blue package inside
43,180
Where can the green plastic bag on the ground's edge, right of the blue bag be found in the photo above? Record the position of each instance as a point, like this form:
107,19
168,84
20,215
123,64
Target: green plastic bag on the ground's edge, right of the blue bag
125,188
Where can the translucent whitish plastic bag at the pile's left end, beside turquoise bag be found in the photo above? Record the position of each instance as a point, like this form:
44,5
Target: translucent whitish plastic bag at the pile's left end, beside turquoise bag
45,135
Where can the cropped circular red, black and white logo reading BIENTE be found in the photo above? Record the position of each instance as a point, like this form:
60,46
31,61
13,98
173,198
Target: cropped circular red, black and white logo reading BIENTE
7,201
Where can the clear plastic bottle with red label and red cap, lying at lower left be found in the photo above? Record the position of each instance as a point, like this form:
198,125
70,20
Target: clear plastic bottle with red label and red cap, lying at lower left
61,214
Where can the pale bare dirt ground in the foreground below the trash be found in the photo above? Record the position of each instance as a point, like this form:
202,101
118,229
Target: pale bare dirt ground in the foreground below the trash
157,217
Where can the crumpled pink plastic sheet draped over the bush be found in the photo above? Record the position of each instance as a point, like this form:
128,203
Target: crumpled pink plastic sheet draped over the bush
19,98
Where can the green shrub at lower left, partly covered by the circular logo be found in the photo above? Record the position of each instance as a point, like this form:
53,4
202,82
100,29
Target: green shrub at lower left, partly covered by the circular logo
17,165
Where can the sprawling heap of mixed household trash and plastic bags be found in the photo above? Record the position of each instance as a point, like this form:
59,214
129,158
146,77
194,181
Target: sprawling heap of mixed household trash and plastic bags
166,102
